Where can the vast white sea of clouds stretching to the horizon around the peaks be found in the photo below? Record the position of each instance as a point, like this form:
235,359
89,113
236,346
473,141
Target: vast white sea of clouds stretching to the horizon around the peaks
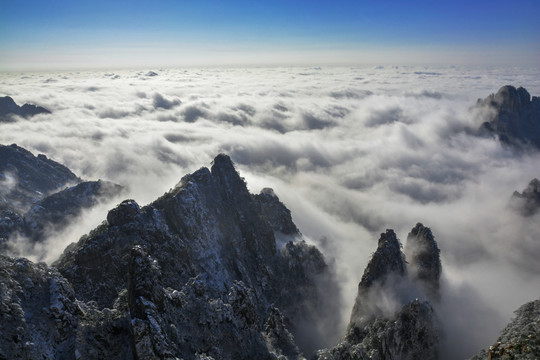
351,151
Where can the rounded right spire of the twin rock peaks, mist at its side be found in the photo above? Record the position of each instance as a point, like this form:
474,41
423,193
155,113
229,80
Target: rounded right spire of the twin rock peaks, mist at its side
423,256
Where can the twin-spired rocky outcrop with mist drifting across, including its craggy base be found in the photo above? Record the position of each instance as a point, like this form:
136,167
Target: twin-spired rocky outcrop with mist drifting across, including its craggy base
389,321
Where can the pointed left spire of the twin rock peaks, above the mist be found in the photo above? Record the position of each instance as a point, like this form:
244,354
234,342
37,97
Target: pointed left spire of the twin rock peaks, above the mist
387,259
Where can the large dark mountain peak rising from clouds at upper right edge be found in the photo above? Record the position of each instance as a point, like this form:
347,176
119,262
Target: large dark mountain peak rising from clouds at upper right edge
514,117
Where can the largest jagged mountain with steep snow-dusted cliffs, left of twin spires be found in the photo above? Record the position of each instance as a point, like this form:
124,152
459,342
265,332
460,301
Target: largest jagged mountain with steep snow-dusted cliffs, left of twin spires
195,273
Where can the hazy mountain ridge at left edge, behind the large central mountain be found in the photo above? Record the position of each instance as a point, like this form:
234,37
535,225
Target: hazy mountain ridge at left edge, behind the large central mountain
38,195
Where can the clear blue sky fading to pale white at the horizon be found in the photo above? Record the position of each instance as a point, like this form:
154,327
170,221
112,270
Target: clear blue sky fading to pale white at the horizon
59,34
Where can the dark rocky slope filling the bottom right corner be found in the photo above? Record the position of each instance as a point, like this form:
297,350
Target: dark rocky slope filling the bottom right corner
520,339
